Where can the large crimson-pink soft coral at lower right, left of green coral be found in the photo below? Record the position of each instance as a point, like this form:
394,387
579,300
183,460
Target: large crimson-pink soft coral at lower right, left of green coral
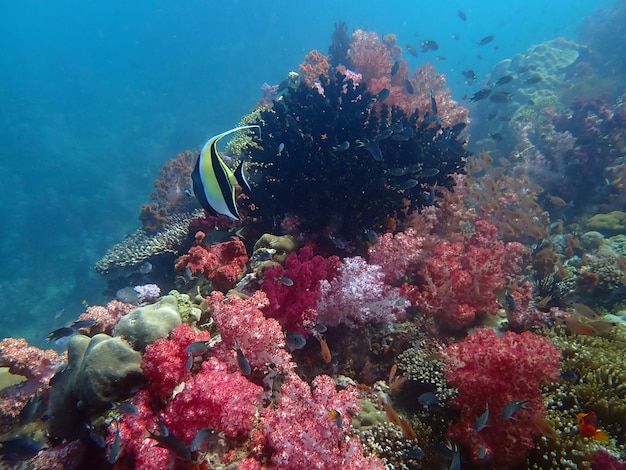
493,371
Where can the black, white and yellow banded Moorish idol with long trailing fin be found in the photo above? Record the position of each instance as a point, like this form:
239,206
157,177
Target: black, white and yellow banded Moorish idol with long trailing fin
214,183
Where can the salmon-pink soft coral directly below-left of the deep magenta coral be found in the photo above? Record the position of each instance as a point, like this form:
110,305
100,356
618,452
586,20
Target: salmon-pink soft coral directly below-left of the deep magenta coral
261,339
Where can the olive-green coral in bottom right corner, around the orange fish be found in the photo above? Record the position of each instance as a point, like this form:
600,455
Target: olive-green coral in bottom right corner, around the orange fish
600,367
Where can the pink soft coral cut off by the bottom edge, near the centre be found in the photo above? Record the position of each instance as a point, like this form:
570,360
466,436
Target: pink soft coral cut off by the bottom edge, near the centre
305,432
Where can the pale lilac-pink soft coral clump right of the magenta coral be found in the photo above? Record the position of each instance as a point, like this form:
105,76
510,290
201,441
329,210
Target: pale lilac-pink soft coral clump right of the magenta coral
358,296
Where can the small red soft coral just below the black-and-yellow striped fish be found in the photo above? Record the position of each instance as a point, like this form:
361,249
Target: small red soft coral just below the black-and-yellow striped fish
221,264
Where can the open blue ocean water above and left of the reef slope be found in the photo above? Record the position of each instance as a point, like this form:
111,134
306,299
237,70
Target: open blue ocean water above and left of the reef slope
95,97
